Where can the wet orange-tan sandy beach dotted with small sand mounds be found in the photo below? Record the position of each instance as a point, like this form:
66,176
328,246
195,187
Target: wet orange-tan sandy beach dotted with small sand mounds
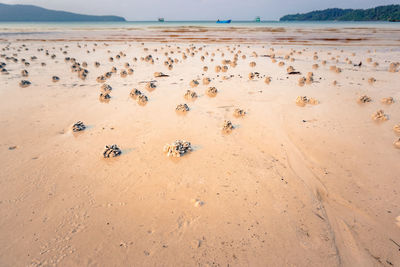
306,174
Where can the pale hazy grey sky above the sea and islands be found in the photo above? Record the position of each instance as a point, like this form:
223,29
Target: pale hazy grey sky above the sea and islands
198,9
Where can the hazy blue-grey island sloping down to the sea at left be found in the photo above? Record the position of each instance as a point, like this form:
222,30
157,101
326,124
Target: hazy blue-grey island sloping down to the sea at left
29,13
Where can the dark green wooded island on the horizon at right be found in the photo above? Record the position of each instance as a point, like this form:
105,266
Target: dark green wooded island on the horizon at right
380,13
